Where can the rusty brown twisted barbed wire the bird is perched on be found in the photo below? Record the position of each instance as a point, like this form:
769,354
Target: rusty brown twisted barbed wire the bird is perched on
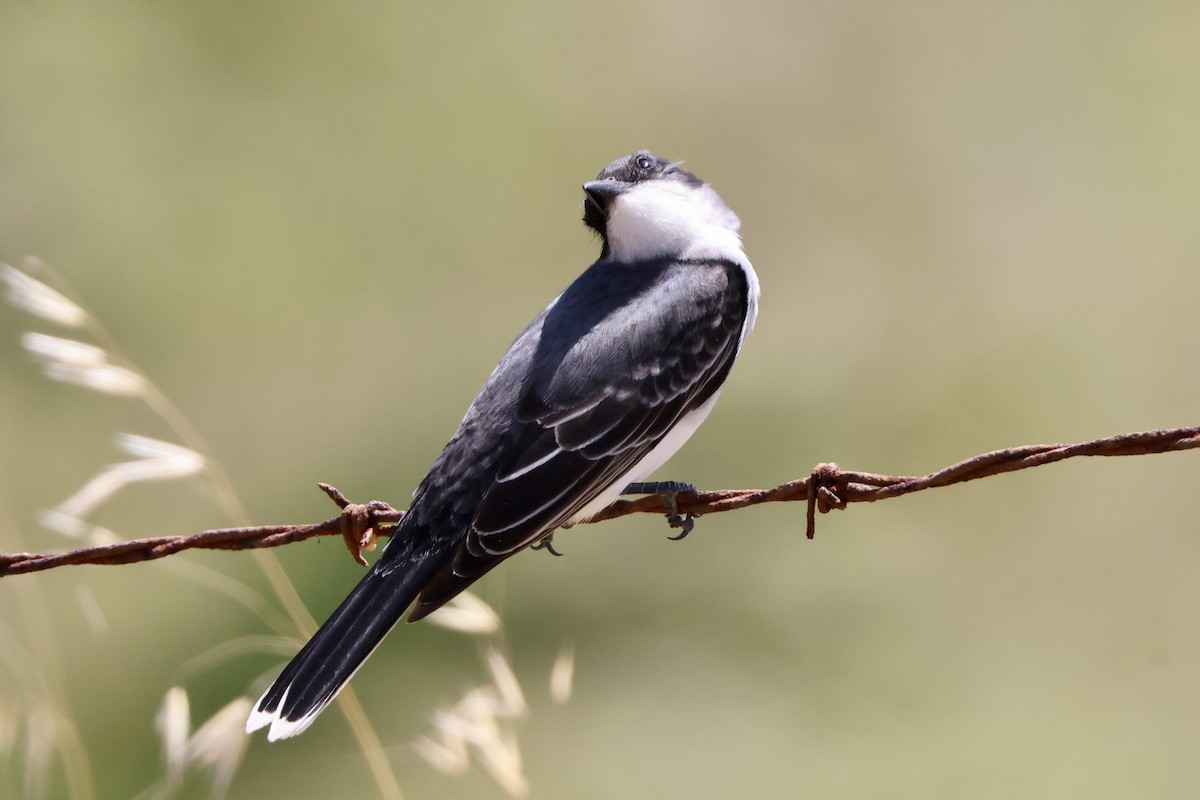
827,489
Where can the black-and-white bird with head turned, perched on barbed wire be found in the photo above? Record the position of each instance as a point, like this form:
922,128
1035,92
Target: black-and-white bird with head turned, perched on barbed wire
595,395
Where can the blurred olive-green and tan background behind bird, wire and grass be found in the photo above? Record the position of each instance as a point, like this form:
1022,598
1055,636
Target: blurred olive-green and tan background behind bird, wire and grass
976,227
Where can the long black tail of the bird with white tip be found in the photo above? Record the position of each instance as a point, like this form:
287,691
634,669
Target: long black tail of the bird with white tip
335,653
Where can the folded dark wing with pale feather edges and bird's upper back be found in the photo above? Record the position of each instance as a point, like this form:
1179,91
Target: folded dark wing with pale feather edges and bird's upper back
619,360
